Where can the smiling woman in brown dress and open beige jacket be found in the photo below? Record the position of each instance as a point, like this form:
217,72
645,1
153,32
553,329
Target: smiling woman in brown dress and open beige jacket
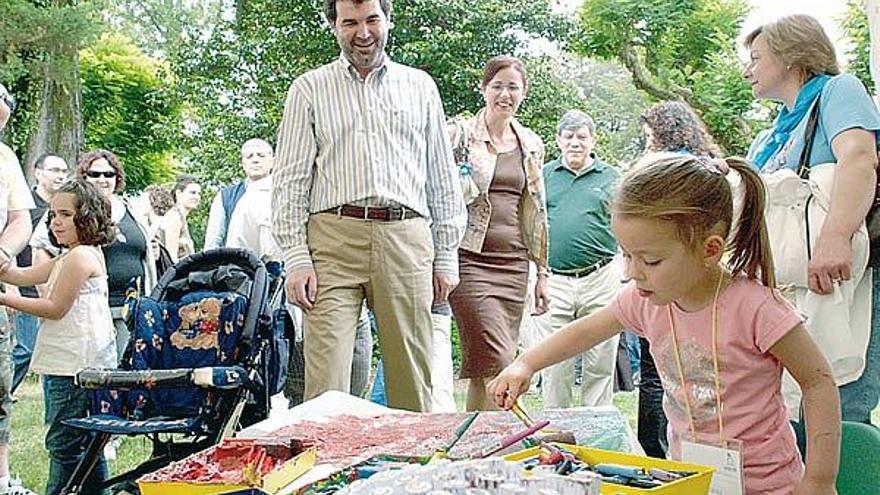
501,162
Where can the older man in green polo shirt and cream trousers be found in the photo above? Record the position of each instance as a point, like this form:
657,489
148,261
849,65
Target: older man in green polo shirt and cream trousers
583,276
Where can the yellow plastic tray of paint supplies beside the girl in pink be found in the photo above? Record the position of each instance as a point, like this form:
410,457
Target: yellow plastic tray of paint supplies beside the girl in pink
697,484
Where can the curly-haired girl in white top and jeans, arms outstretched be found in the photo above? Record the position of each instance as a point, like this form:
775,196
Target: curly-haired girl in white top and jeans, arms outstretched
77,329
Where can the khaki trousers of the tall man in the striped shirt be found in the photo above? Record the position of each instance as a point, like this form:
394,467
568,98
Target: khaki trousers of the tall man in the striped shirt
389,264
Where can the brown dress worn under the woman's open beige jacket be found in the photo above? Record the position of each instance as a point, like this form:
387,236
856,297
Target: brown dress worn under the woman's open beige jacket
489,301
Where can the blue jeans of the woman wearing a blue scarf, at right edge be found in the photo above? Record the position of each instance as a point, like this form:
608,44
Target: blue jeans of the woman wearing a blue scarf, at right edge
859,398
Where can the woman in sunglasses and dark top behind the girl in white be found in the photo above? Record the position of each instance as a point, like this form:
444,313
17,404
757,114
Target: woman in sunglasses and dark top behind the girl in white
131,256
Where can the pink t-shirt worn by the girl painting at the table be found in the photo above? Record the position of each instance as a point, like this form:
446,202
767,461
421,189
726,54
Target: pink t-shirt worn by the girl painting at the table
751,319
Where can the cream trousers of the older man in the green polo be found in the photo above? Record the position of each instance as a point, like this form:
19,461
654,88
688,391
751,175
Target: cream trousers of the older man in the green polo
572,298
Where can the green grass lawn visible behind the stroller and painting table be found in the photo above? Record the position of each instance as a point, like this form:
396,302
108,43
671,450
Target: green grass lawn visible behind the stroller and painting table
30,461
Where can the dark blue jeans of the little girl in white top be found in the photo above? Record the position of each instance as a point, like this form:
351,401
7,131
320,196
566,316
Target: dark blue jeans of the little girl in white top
65,444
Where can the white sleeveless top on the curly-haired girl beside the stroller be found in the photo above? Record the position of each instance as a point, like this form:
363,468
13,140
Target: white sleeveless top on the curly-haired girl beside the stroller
84,337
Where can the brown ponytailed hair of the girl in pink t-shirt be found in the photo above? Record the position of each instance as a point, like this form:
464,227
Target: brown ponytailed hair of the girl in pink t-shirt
694,194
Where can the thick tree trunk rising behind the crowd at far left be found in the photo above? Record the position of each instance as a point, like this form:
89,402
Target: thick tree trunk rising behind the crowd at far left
59,121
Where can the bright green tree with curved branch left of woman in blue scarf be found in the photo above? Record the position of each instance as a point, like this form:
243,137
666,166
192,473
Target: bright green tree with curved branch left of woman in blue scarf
678,50
